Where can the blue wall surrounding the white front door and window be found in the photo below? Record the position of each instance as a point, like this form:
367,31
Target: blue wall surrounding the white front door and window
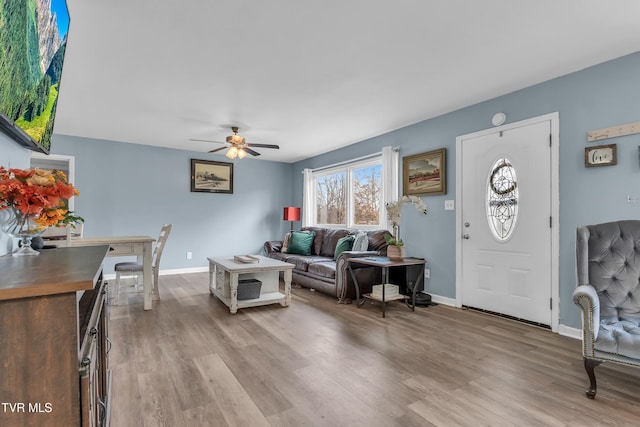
601,96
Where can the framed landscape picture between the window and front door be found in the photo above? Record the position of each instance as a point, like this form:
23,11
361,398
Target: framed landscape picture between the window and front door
425,173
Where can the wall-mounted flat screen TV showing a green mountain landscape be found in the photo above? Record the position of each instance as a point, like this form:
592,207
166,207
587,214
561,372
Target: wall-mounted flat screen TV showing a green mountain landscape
33,38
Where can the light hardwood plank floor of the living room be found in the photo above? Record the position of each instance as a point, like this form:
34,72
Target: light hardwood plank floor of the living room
189,362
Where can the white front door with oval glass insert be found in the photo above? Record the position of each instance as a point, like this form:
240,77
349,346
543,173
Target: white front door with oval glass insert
506,222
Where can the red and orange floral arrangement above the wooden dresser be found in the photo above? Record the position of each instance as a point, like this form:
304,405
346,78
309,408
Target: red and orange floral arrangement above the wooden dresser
38,193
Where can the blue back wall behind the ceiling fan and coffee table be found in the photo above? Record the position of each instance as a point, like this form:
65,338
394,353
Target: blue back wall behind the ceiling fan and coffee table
131,189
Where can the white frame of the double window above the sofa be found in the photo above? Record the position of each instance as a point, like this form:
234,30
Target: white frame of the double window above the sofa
349,210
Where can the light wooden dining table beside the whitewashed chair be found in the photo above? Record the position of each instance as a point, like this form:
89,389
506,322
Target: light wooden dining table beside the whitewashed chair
139,246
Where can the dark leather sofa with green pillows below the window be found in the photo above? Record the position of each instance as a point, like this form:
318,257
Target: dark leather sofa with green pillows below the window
320,272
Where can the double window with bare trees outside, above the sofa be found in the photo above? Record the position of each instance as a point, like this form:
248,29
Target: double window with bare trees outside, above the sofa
350,196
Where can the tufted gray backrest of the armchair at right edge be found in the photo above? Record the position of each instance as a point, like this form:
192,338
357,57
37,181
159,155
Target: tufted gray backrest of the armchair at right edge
608,258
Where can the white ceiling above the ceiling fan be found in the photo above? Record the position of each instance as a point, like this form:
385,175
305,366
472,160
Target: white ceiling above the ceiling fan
312,76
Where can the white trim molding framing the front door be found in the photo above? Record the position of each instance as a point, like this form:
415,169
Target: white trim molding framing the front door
554,119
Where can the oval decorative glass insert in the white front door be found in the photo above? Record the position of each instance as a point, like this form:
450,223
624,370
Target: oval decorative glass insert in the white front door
502,199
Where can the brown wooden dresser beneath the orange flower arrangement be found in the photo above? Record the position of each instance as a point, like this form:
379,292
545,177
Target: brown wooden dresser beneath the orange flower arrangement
53,339
